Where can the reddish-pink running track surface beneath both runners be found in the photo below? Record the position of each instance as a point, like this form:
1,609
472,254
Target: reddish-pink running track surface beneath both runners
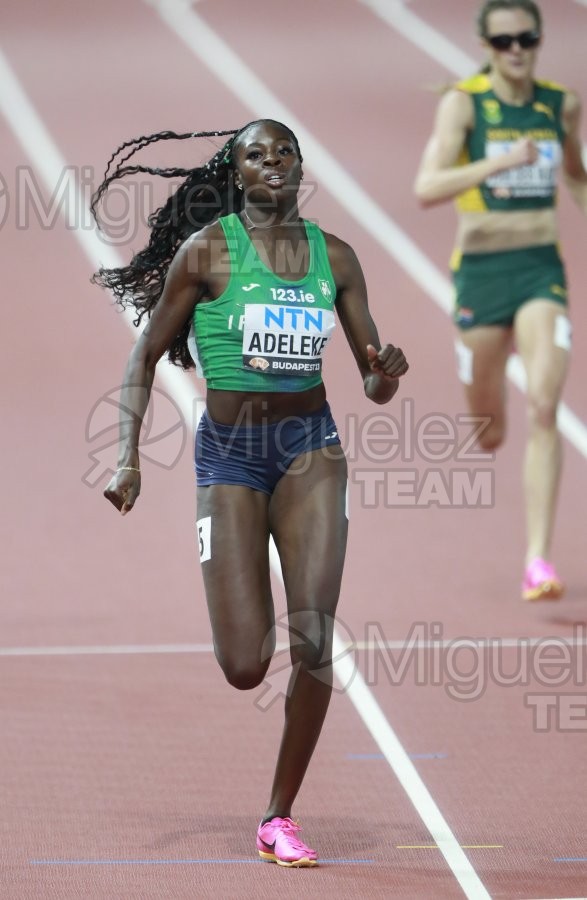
129,768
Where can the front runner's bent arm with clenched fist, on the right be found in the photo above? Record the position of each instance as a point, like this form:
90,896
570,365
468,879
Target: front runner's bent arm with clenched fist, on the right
380,367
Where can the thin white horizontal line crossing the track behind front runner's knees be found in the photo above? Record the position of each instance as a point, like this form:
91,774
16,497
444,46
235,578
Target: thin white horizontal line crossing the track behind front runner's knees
468,643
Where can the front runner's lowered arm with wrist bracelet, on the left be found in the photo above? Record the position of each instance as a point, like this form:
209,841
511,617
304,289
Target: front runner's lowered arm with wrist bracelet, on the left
185,284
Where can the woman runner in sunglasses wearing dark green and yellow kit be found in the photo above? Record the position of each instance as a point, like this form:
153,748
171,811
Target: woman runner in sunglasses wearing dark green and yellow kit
499,140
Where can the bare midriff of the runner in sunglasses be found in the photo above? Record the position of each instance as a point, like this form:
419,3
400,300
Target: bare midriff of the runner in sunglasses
491,232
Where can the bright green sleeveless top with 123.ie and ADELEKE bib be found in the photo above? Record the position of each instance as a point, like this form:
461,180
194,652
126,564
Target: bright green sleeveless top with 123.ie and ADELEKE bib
265,333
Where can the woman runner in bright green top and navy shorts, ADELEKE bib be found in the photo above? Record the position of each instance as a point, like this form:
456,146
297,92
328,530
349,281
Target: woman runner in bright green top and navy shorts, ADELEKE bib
235,282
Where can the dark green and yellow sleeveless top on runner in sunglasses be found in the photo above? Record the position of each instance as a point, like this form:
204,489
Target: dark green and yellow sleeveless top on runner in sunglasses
498,125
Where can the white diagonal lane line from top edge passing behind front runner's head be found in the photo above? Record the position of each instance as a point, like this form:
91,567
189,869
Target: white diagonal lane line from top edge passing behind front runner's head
224,63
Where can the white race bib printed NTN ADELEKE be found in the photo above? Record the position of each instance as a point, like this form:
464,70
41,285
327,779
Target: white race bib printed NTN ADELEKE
285,339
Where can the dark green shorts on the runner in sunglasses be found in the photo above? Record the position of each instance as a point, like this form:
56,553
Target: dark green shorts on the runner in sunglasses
491,287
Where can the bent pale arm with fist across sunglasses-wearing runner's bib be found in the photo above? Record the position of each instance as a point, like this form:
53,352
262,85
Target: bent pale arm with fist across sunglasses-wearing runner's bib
440,178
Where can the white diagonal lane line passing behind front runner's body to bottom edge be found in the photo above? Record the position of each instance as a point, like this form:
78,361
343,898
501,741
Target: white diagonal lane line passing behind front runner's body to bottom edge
41,149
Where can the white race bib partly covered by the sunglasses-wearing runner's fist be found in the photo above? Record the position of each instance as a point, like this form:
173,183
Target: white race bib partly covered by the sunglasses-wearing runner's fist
537,180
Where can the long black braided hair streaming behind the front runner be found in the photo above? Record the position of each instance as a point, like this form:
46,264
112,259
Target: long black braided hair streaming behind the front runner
207,192
